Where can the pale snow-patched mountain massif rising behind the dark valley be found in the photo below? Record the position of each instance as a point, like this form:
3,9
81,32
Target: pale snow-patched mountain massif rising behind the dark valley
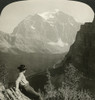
49,32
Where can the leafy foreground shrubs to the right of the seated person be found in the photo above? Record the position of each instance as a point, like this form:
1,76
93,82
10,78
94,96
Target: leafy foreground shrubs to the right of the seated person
69,89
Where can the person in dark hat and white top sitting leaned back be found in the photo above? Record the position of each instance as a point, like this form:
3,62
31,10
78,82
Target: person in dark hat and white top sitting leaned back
24,84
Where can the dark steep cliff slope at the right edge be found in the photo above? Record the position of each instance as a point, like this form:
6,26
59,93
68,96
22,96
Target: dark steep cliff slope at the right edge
82,52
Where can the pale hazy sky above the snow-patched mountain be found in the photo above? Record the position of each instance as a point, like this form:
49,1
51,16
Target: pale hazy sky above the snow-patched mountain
16,12
